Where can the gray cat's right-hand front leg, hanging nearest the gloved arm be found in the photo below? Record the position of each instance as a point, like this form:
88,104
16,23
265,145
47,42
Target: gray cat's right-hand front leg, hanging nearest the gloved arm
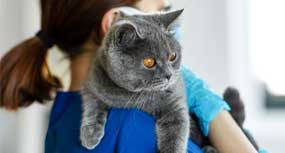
173,131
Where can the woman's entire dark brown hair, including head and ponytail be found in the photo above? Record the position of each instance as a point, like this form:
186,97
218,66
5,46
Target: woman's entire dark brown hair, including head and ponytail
24,73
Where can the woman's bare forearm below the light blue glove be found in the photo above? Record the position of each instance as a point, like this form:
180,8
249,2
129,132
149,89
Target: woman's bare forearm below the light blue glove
227,137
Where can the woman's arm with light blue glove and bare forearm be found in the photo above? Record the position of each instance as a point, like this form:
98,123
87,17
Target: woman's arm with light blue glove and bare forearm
214,120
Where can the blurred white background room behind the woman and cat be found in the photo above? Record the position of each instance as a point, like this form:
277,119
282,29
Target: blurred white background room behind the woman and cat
238,43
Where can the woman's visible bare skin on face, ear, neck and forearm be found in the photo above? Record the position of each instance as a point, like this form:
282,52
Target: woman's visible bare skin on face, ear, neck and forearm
224,133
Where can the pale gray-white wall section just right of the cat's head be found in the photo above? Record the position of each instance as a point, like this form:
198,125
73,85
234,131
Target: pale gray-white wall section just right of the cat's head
205,40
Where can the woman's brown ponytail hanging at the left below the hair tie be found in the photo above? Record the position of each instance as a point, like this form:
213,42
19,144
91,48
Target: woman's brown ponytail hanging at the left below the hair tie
24,75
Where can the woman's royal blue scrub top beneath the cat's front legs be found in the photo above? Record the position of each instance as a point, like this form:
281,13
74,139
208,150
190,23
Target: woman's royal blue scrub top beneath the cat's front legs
126,131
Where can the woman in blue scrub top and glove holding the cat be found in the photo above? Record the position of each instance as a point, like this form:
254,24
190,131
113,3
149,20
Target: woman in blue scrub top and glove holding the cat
77,28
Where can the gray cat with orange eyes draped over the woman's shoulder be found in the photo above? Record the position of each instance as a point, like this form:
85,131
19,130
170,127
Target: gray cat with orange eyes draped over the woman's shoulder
137,66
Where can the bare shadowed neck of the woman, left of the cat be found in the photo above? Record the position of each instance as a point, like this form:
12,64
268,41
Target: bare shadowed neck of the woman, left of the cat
80,67
